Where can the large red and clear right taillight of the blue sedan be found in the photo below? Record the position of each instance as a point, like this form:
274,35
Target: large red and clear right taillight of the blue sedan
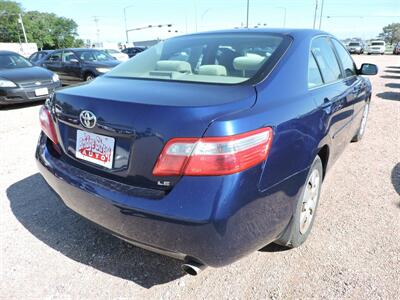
214,155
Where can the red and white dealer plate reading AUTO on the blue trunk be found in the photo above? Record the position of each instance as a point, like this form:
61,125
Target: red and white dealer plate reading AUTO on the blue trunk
96,148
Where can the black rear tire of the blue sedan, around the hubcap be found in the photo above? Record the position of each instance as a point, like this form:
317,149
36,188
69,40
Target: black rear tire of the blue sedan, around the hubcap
292,237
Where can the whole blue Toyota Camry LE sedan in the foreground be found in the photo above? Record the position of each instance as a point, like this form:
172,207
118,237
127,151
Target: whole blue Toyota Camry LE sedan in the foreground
207,147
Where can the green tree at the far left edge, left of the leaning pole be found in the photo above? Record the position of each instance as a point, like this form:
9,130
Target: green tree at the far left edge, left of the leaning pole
10,29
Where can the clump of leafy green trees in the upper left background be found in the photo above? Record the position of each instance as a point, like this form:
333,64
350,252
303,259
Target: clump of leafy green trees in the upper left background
47,30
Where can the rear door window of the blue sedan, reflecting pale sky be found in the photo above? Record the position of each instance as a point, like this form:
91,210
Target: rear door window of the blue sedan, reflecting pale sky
326,59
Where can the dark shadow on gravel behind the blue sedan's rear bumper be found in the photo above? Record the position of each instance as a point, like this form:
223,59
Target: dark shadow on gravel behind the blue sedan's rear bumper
45,216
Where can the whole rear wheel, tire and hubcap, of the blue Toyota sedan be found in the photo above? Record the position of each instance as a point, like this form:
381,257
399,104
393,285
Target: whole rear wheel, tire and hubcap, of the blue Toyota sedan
303,218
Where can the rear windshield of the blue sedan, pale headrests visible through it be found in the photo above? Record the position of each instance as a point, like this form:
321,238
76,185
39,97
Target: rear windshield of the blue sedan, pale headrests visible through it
210,58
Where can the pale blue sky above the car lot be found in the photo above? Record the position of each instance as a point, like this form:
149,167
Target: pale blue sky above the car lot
343,18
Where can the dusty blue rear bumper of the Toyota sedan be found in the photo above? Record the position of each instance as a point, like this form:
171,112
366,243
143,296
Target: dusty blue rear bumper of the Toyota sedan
212,220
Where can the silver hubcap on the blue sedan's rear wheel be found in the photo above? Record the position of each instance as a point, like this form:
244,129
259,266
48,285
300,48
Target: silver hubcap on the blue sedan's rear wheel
309,202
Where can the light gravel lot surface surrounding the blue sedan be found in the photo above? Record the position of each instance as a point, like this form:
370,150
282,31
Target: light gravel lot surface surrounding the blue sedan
47,251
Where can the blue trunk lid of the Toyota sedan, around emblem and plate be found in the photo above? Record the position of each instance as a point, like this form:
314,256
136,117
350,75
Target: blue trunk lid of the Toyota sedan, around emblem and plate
141,116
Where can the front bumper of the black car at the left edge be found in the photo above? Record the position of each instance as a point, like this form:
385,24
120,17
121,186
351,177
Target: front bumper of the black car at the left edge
21,95
